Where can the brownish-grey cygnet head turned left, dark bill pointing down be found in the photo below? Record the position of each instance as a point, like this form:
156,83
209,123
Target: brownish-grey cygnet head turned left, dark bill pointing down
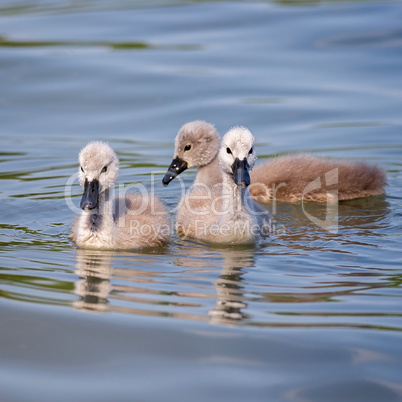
196,144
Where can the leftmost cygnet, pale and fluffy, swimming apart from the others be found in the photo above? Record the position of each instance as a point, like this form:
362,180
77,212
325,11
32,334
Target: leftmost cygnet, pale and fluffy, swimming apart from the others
130,222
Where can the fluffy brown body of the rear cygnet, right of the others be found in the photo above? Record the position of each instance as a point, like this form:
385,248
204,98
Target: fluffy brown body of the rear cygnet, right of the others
304,177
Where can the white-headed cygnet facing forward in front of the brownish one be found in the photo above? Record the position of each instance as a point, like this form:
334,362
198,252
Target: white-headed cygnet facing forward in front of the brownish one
224,214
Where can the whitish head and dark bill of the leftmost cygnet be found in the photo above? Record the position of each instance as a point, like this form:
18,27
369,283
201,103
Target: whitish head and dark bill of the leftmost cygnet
99,169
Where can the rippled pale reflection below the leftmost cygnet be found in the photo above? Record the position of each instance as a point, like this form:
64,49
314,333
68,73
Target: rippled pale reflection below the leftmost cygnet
100,282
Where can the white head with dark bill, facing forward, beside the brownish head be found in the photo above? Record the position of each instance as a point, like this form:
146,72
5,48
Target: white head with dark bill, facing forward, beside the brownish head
237,155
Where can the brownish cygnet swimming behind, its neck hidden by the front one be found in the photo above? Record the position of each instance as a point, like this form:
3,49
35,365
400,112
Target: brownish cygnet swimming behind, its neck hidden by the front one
289,178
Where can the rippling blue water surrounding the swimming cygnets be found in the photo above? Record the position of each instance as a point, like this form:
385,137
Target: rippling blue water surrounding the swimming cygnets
310,315
